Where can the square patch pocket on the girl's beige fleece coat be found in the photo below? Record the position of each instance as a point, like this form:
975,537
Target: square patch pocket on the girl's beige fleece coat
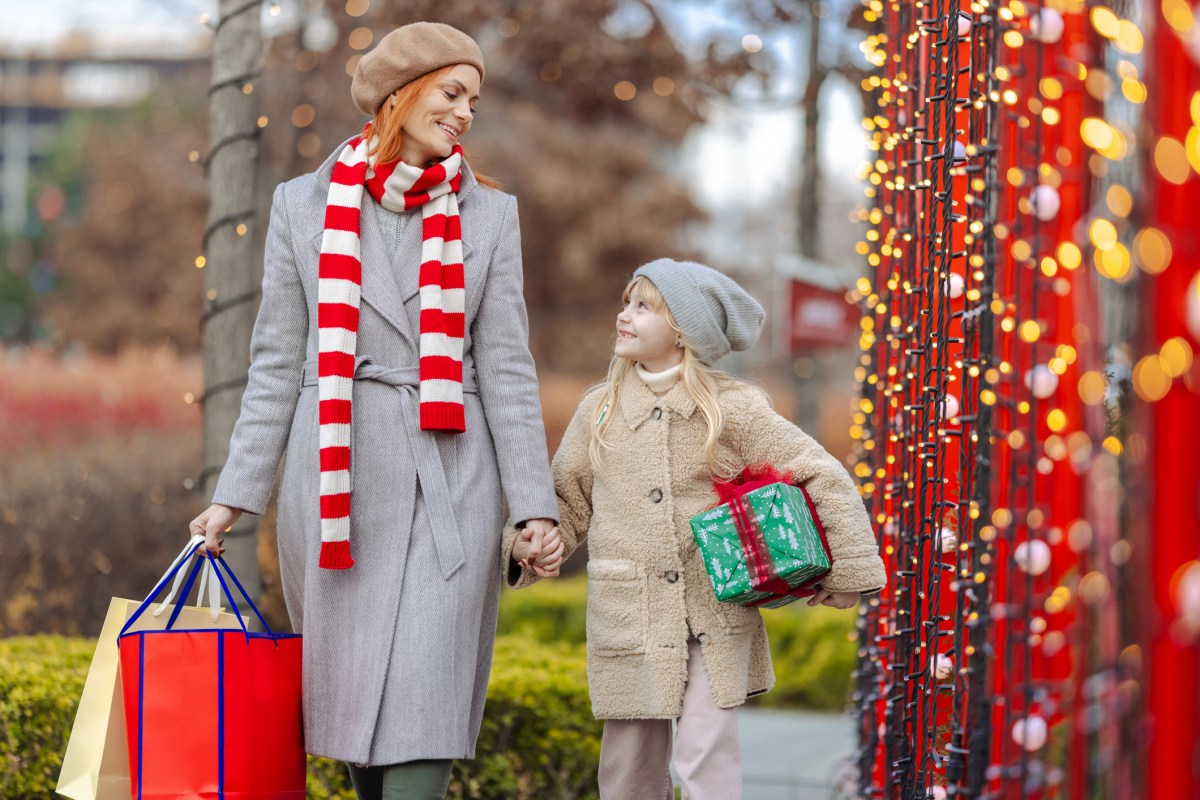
617,607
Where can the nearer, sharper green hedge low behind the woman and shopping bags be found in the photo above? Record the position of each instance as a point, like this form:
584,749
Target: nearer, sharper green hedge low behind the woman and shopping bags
538,738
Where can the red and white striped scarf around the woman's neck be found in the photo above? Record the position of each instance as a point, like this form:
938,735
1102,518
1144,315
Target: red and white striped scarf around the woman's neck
398,188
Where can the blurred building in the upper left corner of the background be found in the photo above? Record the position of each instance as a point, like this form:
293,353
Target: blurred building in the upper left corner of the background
111,68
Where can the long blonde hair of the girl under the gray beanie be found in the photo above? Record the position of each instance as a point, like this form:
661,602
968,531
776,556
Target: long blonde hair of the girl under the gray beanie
703,383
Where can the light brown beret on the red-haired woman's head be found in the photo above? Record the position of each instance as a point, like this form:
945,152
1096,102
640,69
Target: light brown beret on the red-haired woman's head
405,56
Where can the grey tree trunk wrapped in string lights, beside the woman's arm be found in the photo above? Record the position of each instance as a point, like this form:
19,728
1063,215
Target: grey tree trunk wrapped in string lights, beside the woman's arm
231,274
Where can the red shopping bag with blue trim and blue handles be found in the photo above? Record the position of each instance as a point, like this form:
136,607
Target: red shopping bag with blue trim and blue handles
213,714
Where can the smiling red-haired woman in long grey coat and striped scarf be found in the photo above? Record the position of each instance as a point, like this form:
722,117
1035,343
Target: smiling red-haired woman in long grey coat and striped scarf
391,359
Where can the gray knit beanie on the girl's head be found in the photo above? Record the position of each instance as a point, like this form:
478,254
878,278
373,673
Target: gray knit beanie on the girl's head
715,314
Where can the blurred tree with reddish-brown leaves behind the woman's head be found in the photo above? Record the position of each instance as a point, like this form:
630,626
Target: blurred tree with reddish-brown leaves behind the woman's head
584,111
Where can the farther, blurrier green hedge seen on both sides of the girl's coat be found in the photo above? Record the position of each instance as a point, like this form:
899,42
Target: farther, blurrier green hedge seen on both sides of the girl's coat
814,649
